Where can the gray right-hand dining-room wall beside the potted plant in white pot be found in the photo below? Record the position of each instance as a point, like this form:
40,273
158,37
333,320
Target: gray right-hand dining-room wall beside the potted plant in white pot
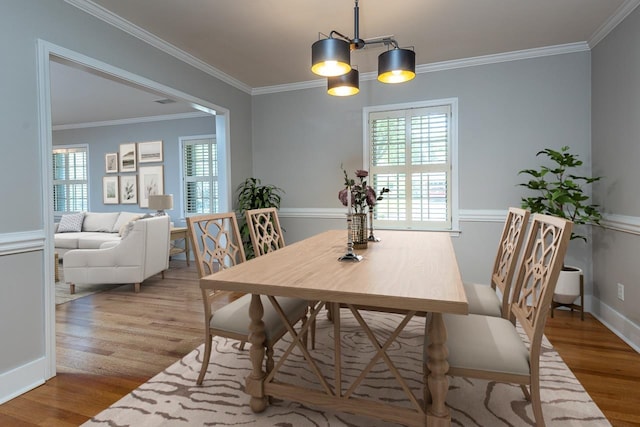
616,155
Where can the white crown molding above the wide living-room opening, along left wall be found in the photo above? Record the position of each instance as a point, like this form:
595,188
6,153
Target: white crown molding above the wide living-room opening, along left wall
110,18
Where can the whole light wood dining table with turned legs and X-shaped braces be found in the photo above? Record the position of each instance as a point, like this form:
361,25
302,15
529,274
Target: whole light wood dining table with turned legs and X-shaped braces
411,272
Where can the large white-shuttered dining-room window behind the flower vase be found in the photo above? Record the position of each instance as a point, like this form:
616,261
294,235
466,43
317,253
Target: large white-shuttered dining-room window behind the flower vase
411,151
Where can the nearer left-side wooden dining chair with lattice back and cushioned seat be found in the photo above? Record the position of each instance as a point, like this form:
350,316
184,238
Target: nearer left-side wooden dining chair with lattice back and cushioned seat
216,243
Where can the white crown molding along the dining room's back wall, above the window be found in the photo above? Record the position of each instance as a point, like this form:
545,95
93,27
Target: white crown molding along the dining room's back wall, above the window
444,65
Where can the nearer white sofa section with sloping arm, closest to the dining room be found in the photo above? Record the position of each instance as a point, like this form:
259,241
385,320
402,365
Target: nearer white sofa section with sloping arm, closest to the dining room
142,252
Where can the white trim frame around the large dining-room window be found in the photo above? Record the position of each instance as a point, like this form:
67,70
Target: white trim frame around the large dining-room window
453,103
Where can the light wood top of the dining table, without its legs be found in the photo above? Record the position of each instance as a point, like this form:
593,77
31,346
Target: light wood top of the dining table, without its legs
407,270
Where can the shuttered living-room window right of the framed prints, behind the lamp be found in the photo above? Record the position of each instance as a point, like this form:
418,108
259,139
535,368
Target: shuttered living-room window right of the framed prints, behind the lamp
200,172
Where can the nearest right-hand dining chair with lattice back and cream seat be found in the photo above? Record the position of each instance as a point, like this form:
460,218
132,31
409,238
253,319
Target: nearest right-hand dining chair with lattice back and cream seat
491,348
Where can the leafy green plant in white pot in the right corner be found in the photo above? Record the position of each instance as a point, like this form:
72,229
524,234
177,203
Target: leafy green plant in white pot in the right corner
560,192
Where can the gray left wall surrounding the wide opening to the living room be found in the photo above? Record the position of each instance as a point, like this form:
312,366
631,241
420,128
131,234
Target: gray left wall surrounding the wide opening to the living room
26,243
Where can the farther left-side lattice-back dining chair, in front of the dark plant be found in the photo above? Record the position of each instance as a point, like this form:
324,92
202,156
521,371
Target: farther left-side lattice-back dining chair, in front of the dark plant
266,236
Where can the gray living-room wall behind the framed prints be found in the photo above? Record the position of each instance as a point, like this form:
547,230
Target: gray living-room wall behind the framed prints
107,139
